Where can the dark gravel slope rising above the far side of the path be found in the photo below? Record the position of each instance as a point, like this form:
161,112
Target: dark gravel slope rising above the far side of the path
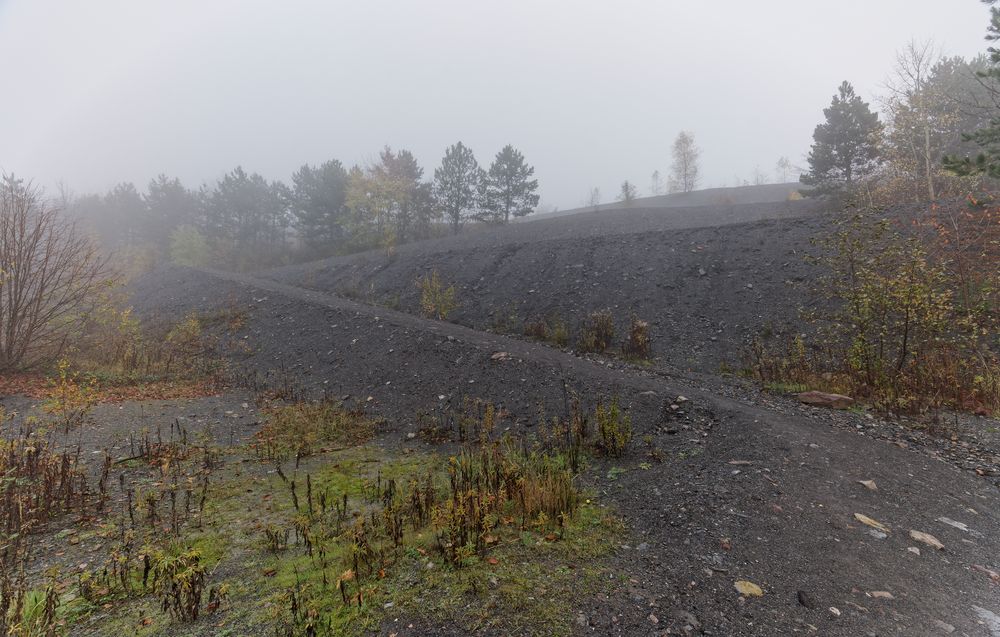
706,291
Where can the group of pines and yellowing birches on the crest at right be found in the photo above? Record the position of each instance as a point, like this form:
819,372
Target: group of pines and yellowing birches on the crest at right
908,150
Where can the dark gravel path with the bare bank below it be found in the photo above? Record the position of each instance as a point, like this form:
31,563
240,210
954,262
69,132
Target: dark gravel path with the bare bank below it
744,493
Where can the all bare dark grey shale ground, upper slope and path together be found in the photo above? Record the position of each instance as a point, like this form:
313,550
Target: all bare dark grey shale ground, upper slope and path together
722,483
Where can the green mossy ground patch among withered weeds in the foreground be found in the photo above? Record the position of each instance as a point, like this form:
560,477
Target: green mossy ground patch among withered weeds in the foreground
526,582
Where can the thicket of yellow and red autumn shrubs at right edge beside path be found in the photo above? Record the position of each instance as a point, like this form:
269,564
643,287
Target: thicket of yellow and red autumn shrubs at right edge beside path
906,313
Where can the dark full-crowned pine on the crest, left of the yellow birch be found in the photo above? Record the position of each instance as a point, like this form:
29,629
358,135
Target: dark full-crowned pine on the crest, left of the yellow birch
846,146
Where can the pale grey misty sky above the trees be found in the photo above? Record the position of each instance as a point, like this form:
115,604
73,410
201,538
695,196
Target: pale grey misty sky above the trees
592,92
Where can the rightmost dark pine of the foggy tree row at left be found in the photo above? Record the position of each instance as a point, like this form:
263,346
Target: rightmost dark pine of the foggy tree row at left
509,189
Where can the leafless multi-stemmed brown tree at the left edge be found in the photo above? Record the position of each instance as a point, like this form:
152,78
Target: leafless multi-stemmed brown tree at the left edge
49,276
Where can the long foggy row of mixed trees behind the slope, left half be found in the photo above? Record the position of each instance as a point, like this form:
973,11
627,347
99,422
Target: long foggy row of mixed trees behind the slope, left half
243,220
